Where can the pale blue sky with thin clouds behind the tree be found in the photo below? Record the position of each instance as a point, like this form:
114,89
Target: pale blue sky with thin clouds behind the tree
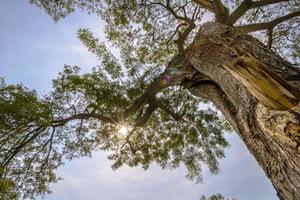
34,49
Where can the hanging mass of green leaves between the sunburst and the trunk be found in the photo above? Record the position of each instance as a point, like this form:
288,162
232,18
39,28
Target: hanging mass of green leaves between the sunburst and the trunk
197,138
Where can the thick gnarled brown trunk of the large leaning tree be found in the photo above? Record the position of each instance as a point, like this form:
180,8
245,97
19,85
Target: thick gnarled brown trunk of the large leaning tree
258,92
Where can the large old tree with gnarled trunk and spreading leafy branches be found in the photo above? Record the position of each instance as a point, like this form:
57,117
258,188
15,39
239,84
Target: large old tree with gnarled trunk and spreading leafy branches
167,53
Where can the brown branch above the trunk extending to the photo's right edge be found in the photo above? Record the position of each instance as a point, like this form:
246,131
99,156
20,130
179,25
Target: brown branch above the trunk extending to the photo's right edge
268,25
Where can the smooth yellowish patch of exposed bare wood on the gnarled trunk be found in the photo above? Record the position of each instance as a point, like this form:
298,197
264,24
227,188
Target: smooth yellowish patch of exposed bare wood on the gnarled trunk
255,76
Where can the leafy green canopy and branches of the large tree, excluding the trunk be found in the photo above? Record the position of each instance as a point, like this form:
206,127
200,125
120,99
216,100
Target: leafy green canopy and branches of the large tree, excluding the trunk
142,91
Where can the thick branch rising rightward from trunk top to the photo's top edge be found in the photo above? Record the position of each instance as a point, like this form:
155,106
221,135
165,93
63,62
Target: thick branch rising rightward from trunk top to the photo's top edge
247,5
